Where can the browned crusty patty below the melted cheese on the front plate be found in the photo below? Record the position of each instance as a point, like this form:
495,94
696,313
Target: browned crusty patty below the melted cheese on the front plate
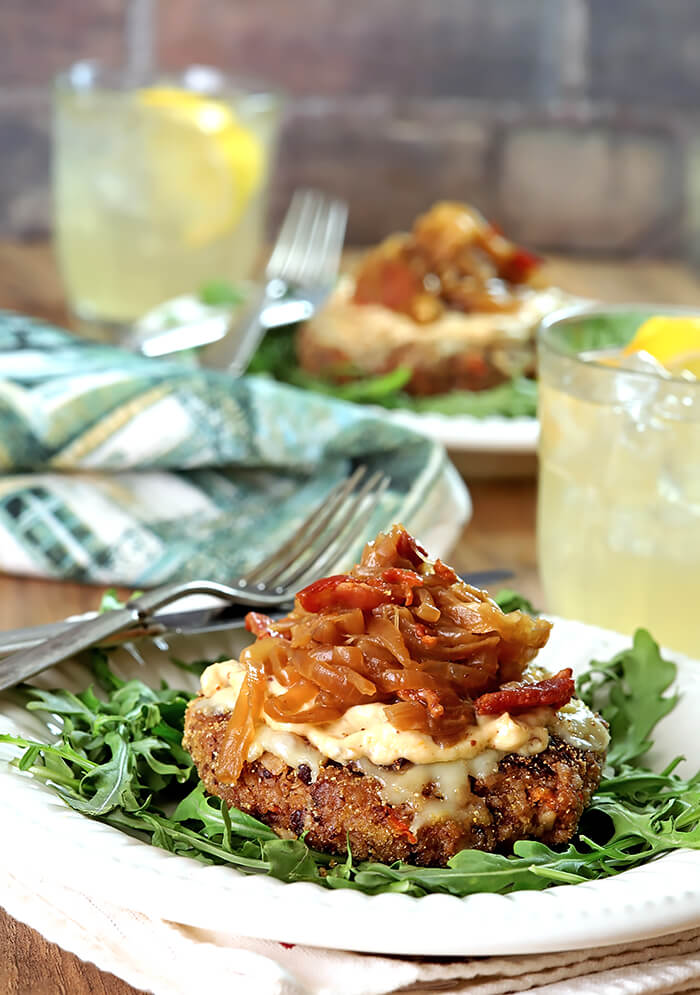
539,797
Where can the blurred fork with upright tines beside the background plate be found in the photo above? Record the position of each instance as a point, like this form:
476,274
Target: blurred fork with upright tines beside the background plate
304,264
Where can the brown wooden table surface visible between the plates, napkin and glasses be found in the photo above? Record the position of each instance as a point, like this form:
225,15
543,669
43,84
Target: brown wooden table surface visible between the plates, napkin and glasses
501,533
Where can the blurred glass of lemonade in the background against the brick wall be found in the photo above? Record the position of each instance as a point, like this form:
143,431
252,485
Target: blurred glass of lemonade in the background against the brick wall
158,188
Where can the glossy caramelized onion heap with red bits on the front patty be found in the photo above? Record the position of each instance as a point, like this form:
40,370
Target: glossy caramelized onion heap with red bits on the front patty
397,630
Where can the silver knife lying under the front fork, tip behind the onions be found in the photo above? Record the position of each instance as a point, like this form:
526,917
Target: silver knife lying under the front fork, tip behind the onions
194,622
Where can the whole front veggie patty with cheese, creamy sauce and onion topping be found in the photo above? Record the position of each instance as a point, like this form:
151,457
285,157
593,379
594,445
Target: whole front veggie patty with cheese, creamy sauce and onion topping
400,711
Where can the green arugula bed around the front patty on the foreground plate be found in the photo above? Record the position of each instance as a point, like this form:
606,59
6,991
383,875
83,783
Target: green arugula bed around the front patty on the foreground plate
119,759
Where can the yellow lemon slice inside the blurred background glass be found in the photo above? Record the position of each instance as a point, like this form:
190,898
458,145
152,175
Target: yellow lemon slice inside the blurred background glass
204,166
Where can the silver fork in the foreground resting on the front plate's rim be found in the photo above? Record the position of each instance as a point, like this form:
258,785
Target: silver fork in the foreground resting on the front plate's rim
331,529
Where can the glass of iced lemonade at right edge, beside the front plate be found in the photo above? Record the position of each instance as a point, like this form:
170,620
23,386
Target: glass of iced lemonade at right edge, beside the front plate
618,517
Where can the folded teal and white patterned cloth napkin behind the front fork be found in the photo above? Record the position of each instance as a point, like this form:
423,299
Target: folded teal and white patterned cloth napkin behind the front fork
119,469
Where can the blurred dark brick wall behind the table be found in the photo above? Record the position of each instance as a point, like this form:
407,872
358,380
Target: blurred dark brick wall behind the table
574,123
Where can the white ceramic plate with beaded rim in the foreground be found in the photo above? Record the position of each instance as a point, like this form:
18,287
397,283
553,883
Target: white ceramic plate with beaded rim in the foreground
44,839
